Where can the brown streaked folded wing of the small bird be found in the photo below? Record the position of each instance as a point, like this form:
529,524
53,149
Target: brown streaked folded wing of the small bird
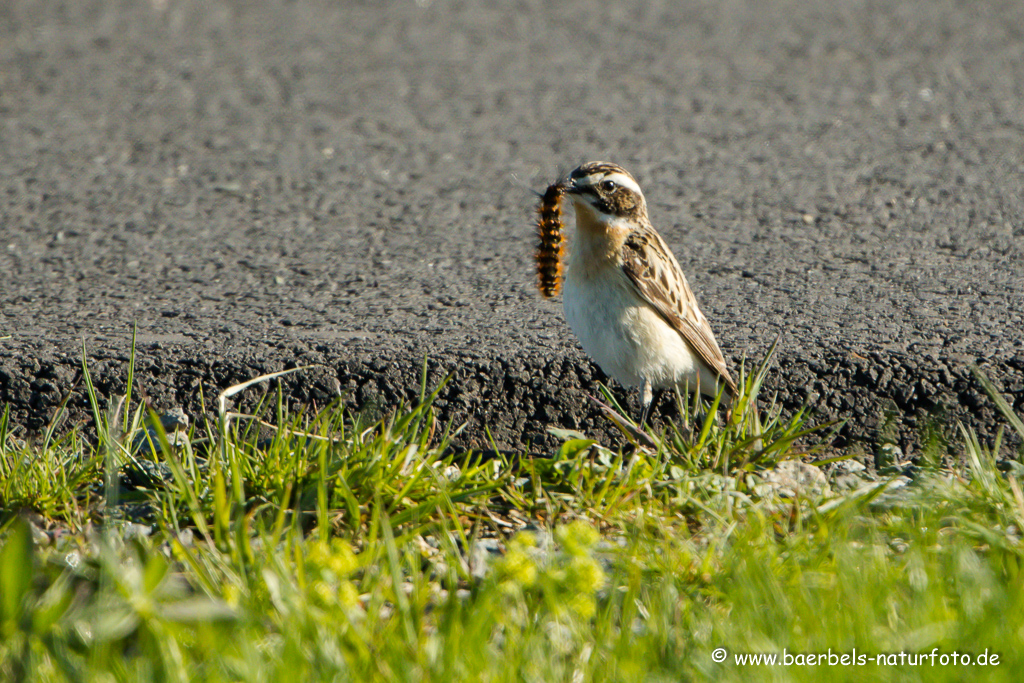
657,278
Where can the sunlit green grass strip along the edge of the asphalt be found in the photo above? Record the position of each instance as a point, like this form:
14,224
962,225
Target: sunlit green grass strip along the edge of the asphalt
331,548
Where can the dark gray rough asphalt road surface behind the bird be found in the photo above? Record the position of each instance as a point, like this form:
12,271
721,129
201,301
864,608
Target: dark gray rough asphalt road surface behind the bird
265,185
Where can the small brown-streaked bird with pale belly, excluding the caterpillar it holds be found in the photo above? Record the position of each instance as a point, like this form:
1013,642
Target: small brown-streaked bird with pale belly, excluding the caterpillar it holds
626,298
